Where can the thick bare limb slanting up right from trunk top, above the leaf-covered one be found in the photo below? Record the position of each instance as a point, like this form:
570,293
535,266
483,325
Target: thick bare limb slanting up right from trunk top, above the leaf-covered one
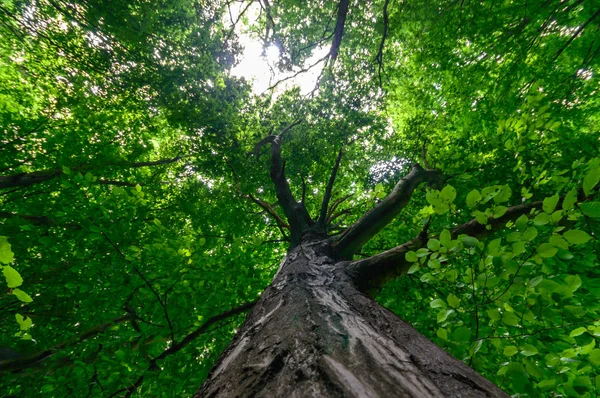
378,217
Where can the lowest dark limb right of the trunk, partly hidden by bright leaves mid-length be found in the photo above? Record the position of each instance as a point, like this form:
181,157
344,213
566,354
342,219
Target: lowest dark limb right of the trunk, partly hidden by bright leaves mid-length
374,272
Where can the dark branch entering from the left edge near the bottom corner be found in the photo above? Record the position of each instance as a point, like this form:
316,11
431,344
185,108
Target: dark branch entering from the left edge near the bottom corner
29,360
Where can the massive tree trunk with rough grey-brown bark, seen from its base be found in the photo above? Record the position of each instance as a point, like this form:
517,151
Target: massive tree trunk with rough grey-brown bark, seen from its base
314,334
